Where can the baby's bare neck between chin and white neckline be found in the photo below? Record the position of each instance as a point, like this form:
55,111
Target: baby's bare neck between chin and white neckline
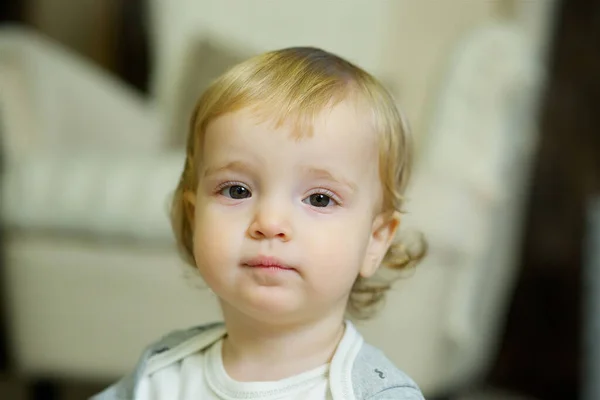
255,351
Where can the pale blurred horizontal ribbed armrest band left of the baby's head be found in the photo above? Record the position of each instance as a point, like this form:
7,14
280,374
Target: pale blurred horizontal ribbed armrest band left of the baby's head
94,194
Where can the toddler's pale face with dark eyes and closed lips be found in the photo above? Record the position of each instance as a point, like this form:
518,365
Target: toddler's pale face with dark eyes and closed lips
284,225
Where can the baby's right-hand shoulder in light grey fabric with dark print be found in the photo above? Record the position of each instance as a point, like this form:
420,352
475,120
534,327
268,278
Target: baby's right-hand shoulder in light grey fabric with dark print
374,376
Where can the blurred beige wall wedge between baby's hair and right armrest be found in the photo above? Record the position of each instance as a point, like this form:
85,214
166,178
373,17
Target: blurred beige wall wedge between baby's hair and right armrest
421,35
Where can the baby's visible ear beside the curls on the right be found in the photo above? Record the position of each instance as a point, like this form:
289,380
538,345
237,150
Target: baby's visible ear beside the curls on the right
383,232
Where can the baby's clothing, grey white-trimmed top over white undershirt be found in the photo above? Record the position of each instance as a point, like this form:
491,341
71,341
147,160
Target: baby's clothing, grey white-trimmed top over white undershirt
187,364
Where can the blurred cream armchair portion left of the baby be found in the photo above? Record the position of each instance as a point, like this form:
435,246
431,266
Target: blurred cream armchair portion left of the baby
87,239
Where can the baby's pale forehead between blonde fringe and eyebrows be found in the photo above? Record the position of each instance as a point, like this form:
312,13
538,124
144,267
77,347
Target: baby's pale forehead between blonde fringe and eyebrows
338,136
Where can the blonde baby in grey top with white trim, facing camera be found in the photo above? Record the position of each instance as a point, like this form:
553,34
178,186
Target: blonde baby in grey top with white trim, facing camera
288,203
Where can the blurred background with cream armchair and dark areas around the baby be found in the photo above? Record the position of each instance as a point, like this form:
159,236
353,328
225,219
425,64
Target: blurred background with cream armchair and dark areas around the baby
504,101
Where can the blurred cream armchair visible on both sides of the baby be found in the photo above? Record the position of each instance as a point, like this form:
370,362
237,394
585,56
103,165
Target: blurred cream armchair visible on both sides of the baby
87,262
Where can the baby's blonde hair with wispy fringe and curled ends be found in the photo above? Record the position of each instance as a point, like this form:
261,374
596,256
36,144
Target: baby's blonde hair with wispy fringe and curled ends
294,85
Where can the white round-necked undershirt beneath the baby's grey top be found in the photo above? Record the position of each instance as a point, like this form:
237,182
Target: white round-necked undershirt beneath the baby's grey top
202,375
